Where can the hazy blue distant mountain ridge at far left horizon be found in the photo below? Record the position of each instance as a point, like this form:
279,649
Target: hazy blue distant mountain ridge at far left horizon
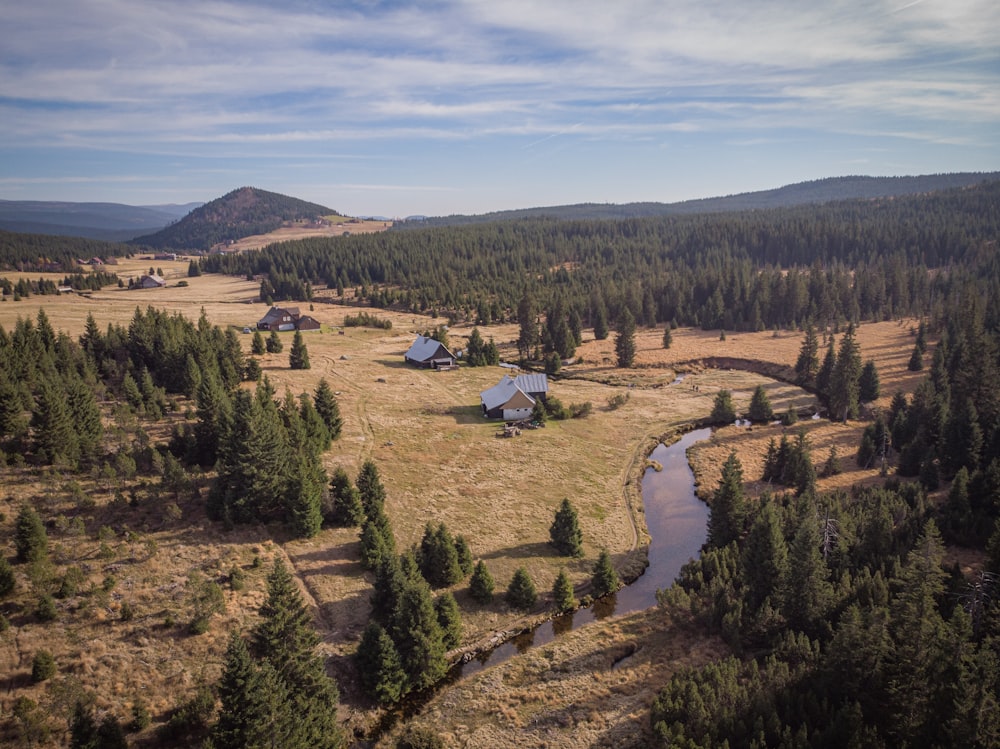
107,221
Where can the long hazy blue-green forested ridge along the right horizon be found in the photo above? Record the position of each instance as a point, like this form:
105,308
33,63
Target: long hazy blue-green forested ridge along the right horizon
801,193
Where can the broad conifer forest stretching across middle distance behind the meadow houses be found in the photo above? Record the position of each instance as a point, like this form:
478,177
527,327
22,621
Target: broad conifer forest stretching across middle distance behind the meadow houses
836,263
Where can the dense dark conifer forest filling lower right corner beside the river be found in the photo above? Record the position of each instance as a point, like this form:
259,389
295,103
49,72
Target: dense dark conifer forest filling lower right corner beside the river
847,626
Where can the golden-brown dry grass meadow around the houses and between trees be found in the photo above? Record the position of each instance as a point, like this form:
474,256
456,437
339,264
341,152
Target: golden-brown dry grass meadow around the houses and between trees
440,461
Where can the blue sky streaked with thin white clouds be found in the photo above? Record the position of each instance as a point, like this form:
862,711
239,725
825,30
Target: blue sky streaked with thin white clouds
463,106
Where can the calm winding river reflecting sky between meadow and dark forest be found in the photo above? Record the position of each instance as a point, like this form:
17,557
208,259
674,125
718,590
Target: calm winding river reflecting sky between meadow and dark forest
678,524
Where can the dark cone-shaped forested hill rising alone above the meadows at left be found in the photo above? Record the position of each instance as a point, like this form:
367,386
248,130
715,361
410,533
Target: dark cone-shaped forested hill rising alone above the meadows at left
240,213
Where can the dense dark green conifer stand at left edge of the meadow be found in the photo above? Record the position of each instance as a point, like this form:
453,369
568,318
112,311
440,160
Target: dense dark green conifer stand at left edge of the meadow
266,450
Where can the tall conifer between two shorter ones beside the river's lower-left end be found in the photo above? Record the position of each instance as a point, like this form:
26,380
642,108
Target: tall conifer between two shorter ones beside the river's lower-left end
418,636
